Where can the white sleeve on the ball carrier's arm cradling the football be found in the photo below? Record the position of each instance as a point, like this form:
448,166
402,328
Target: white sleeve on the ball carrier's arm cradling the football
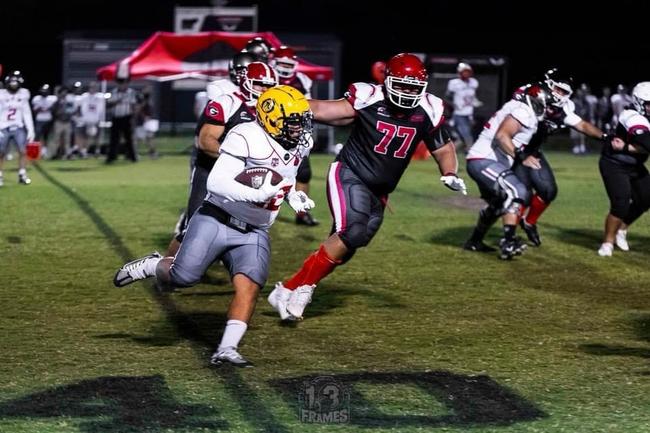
222,181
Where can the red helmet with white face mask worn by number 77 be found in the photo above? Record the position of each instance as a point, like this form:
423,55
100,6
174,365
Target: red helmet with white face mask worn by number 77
406,80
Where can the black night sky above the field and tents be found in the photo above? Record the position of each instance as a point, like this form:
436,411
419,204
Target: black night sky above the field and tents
601,46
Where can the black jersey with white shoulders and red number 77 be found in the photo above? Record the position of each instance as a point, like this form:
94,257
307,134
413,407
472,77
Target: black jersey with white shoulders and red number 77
384,138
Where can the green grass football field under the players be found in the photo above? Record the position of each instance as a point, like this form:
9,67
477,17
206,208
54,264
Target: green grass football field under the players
417,333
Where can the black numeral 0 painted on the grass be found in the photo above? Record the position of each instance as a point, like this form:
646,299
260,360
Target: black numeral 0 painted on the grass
466,400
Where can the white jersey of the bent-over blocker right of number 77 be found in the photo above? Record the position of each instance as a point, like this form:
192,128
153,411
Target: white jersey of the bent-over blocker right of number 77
485,145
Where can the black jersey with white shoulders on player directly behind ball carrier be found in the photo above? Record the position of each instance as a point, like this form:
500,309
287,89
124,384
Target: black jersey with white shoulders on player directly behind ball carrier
227,110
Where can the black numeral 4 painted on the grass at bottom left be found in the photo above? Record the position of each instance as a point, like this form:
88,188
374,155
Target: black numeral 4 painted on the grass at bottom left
116,405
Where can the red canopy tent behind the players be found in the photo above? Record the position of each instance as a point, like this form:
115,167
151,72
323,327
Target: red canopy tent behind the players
167,56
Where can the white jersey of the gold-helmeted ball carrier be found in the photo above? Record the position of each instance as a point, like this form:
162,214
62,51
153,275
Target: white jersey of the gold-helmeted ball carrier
249,143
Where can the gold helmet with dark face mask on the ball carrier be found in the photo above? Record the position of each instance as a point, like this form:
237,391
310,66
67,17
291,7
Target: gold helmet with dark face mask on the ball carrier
284,114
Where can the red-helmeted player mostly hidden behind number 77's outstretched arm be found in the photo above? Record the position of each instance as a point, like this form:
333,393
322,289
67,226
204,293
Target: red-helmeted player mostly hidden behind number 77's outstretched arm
285,63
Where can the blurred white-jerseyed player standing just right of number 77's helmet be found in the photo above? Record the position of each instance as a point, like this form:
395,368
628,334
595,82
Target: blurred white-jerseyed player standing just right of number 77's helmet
461,92
